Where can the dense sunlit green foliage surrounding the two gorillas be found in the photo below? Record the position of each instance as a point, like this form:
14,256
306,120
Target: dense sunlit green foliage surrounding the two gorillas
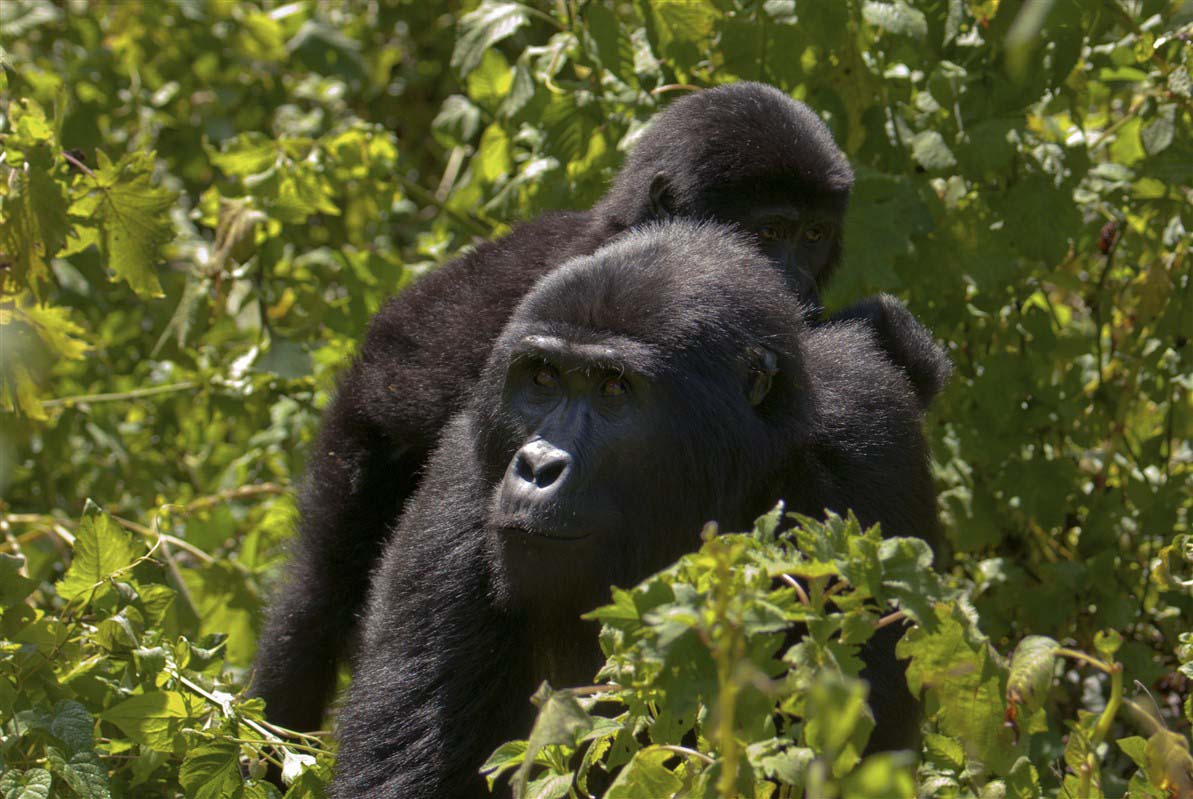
203,201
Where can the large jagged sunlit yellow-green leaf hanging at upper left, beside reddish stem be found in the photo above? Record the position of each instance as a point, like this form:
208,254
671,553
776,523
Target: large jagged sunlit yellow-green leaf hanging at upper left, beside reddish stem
133,218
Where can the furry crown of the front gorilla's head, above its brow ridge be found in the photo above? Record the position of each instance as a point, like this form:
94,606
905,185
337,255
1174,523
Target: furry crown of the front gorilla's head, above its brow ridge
673,286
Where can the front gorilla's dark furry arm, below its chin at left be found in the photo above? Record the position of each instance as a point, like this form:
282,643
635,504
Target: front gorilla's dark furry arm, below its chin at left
437,687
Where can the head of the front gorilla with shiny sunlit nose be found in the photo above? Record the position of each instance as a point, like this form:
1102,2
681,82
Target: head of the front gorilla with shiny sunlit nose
626,405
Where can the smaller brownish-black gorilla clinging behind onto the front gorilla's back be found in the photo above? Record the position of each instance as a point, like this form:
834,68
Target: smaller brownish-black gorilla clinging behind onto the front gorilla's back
744,154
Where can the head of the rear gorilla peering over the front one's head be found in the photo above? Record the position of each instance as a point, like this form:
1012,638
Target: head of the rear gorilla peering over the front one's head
750,156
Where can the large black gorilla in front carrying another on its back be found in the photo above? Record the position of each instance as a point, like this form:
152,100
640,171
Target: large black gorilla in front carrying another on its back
665,381
